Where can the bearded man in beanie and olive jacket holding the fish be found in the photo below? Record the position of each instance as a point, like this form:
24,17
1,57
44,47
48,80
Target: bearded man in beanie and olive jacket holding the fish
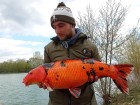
70,43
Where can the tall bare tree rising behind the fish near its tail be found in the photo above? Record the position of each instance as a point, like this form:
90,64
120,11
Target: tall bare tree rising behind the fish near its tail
110,22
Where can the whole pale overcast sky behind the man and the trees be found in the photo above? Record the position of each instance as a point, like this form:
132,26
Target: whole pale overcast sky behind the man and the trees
25,24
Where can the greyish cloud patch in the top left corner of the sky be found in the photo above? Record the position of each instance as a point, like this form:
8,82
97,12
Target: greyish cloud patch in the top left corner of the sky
19,12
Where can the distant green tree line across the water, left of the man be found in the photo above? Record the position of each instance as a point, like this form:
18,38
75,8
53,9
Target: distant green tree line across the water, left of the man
21,65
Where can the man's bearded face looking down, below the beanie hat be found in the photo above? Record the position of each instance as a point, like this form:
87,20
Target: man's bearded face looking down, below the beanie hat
63,30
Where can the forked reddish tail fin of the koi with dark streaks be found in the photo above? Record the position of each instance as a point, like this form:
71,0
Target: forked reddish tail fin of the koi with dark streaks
123,70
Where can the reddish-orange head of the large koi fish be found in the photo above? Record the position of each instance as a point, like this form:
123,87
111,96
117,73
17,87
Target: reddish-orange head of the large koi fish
35,76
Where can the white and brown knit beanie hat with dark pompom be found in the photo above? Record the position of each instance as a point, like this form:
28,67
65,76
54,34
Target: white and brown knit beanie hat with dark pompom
62,13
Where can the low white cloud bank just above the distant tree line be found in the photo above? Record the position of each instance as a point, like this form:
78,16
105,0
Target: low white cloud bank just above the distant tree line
15,49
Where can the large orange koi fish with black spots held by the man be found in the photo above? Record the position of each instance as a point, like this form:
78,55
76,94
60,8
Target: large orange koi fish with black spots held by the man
71,74
